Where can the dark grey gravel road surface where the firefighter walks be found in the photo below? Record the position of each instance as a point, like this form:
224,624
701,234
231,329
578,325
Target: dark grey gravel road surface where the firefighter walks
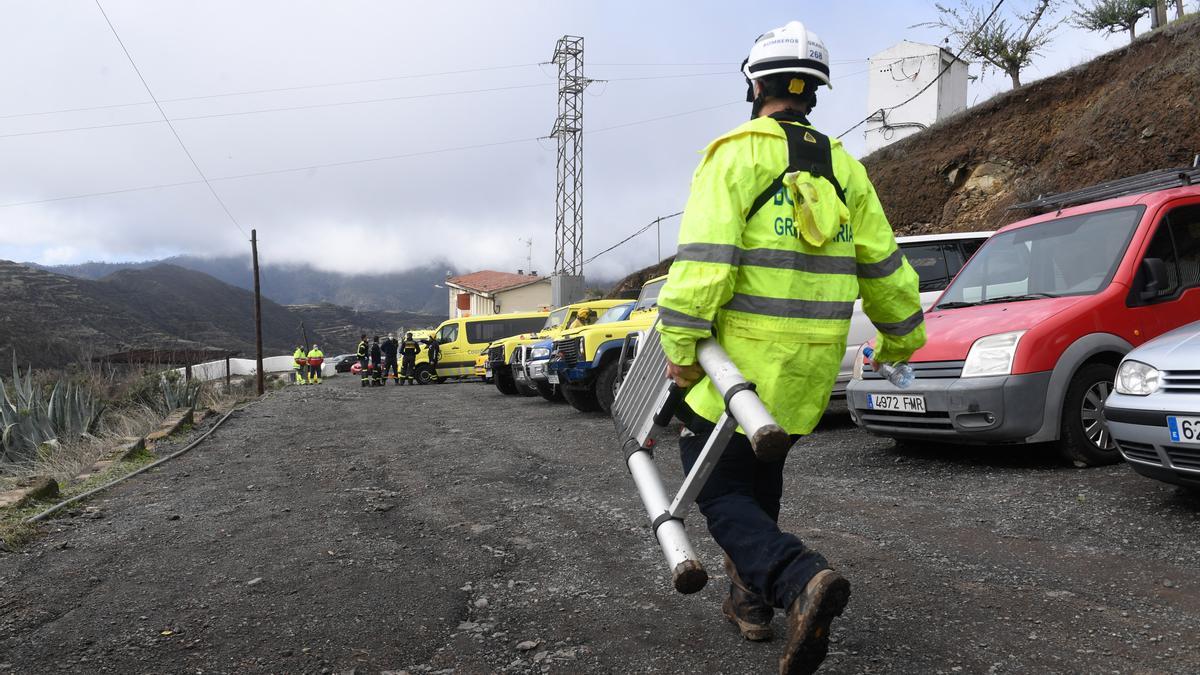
448,528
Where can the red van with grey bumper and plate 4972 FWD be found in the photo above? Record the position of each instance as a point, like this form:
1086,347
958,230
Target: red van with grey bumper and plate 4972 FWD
1025,343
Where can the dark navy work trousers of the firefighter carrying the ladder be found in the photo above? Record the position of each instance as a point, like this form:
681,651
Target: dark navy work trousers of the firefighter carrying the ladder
741,503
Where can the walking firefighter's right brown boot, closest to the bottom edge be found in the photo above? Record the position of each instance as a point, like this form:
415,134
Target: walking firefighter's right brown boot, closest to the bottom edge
808,623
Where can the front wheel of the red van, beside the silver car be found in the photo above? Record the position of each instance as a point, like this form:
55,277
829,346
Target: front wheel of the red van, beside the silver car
1085,439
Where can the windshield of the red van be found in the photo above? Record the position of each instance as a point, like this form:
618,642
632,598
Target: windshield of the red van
1071,256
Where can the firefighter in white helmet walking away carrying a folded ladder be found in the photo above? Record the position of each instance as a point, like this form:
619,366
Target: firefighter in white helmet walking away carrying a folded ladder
782,234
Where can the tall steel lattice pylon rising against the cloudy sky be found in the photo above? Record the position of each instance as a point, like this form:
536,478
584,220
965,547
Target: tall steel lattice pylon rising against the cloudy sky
568,282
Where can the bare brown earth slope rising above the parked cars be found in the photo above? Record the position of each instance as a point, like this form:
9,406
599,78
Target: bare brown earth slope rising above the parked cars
1126,112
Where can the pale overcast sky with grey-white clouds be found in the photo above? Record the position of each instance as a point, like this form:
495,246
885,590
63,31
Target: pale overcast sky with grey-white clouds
469,206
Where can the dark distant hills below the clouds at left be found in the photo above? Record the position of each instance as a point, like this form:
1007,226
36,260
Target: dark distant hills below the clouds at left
49,320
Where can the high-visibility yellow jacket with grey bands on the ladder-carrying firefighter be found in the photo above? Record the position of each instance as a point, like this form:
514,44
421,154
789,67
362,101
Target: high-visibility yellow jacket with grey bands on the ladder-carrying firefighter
781,289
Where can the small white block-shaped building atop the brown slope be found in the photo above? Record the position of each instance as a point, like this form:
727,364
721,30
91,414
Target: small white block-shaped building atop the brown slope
897,75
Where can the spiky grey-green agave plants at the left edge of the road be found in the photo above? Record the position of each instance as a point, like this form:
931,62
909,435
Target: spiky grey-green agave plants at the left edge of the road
31,420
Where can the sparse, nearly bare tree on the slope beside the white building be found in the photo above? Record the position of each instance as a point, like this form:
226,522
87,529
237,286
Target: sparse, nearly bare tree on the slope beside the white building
1001,44
